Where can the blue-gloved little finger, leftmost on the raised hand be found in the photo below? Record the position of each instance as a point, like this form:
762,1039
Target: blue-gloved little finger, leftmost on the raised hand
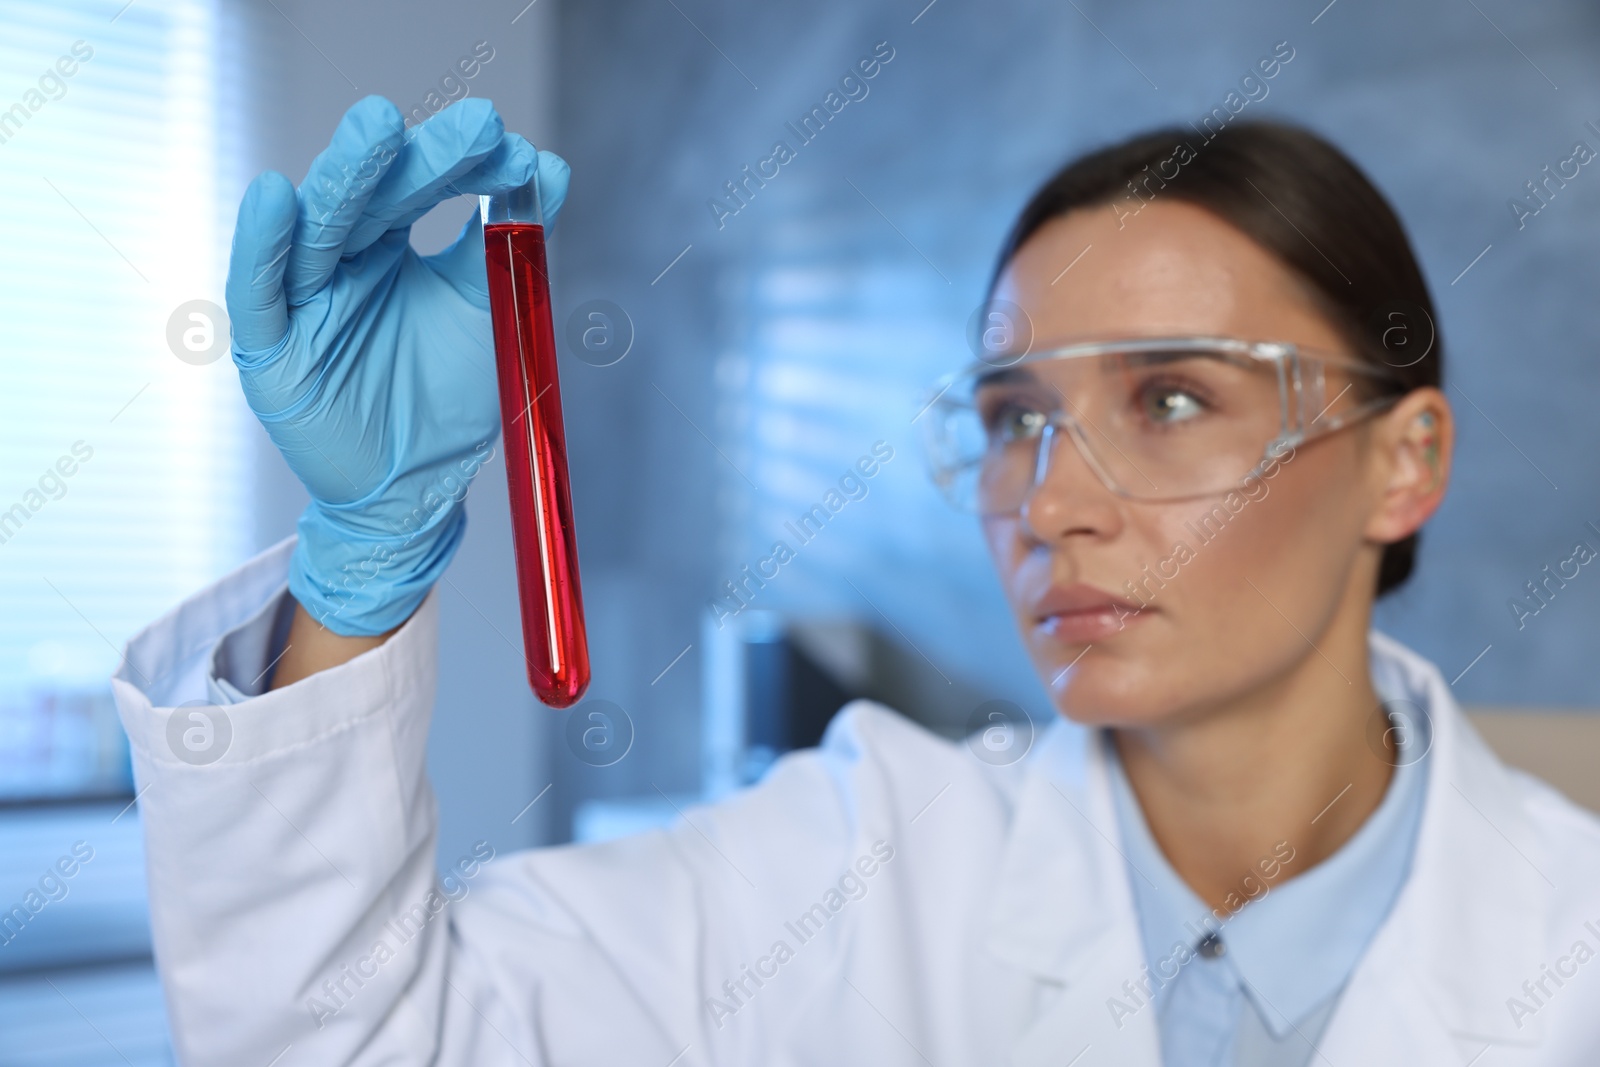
257,305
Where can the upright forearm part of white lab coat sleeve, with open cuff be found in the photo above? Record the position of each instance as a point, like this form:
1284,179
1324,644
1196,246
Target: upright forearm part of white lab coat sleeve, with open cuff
281,834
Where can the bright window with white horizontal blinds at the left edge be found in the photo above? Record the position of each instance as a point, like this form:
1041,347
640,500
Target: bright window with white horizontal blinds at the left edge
124,465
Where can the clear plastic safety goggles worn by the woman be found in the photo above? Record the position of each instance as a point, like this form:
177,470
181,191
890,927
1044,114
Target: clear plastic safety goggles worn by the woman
1154,418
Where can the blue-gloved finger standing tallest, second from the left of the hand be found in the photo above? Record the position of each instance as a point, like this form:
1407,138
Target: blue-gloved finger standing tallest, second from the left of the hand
337,190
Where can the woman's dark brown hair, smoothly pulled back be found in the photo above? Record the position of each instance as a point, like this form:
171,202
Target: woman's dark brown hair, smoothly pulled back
1300,199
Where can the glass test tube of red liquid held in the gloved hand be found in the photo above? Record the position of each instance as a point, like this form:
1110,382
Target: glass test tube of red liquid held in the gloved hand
556,644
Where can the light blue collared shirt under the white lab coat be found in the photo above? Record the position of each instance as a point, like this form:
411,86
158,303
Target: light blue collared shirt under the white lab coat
1265,997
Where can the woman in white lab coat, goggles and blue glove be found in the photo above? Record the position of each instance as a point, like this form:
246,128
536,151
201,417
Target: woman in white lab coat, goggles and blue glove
1279,842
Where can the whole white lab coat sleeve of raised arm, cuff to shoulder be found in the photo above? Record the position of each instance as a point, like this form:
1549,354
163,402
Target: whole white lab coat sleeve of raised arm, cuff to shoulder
297,908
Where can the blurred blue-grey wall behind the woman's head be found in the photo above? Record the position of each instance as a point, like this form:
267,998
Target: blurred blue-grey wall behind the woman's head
892,218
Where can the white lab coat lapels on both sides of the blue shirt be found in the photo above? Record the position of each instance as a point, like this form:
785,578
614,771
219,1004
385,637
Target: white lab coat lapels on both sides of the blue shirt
1471,911
